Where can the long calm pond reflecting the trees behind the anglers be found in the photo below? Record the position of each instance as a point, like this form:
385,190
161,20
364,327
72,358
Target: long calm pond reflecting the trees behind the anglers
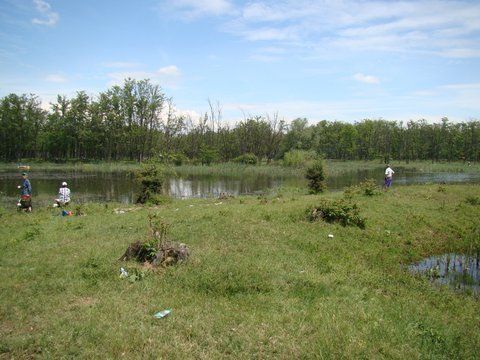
121,187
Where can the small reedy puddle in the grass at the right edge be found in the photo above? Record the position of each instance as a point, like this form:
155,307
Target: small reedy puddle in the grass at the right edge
461,272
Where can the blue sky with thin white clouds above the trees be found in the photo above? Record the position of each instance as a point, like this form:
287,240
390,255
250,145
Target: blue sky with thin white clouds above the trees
331,60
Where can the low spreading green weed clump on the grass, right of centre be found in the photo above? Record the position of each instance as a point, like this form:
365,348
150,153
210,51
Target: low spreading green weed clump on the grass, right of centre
339,211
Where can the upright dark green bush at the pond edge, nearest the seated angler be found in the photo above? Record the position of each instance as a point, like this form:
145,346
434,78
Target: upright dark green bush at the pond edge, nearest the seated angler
151,178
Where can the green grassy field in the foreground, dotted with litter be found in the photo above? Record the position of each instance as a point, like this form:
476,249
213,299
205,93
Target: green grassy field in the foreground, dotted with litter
262,281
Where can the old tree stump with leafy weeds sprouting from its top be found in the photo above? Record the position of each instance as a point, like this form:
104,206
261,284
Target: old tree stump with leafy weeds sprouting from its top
156,249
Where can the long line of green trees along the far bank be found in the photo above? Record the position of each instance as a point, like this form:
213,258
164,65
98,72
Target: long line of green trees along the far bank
137,121
